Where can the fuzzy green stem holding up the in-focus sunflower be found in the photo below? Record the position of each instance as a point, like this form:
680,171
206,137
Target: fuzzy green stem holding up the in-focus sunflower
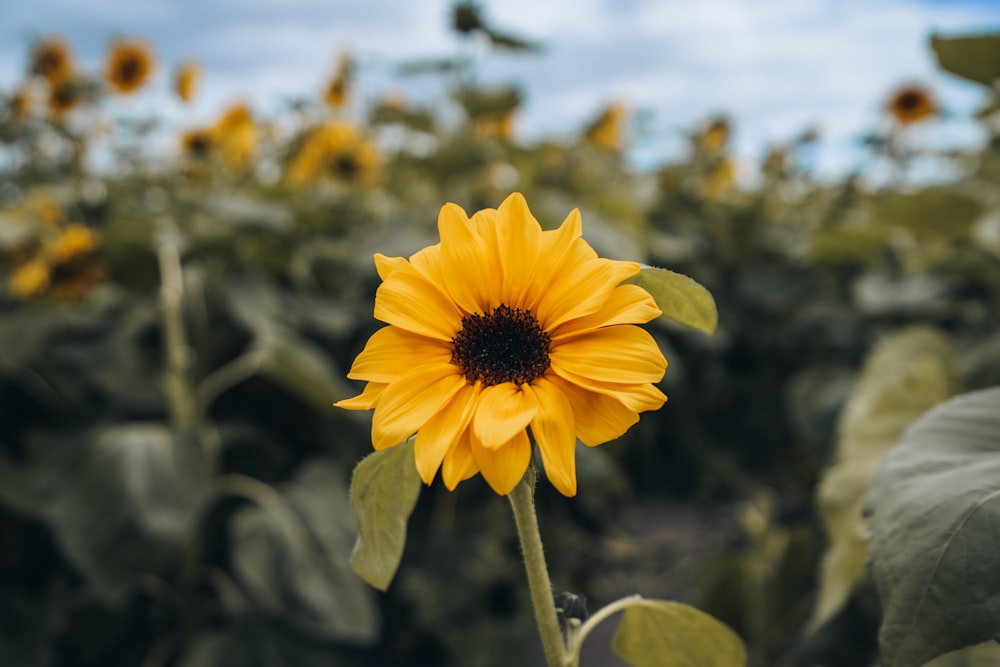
522,502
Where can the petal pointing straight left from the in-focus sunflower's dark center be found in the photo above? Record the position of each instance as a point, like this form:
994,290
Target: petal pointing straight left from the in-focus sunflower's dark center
392,352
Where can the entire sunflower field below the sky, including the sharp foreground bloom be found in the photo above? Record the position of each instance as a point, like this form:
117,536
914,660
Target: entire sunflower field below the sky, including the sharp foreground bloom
814,478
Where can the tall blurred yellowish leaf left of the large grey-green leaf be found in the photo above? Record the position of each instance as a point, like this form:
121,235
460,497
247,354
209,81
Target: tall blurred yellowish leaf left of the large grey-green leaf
906,374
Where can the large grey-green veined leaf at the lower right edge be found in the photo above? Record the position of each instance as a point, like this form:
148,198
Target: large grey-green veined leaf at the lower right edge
935,526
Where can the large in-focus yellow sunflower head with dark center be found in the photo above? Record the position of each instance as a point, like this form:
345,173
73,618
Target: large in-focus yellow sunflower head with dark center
499,331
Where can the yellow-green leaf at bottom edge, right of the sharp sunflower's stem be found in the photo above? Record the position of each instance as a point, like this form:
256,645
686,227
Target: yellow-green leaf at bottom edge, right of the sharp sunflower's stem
660,633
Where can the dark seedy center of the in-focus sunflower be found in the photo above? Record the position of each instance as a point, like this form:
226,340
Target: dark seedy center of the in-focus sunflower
507,345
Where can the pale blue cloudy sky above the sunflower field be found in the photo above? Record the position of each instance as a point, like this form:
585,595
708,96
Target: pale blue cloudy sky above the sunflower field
774,67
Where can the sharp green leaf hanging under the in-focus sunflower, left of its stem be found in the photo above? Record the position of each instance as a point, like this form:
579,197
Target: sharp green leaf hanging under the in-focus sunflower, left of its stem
384,491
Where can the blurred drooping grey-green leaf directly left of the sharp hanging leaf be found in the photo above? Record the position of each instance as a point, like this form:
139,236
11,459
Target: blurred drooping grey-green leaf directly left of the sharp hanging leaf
290,552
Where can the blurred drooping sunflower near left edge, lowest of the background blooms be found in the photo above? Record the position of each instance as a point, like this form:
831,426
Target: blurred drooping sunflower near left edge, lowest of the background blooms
65,268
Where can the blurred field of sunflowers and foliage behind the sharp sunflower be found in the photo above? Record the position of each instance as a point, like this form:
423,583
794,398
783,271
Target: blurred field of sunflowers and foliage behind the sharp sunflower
173,478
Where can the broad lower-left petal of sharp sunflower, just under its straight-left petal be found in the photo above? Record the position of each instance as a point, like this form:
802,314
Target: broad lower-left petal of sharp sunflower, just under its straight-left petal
409,402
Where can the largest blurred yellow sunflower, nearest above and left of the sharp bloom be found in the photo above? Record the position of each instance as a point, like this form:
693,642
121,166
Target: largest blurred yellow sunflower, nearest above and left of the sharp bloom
337,150
